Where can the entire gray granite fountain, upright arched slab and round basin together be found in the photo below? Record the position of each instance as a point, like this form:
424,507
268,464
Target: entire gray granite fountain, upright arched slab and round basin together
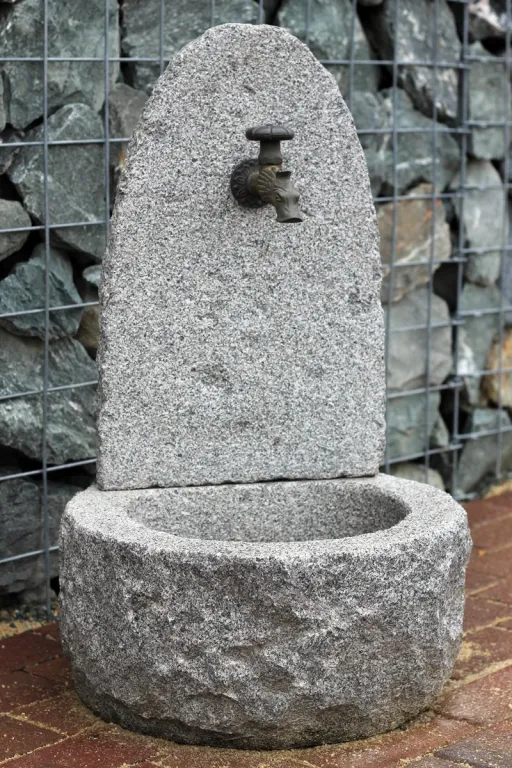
242,575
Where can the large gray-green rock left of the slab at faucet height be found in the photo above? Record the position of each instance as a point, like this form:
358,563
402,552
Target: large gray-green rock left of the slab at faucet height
76,189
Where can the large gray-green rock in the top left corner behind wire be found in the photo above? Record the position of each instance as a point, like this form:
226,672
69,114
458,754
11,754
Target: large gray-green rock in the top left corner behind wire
74,30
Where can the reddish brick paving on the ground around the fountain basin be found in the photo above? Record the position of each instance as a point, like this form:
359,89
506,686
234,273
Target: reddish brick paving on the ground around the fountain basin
44,725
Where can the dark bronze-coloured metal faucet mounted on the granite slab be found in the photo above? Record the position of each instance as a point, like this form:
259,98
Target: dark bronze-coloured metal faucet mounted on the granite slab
257,182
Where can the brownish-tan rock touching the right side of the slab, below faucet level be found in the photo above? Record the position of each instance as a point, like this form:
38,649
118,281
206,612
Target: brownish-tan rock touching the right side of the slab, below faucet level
419,232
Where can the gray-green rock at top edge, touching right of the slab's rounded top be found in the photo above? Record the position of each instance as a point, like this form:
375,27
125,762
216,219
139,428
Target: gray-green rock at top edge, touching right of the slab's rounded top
332,32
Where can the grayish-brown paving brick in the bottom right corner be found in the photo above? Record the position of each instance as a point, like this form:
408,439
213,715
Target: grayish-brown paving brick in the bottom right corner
491,748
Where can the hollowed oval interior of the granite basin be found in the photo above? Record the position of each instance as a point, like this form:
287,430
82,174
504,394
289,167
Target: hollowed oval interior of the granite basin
271,512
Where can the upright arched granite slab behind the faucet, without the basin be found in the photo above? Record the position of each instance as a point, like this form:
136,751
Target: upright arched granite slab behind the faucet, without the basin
262,358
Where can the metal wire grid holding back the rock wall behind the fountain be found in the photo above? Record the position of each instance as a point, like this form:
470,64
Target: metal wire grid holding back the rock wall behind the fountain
461,129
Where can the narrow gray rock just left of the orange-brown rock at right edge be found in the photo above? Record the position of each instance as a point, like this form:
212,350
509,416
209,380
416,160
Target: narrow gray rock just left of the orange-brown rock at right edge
476,335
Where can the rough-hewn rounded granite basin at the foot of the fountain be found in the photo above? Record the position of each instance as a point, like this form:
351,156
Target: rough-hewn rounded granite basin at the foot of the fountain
267,615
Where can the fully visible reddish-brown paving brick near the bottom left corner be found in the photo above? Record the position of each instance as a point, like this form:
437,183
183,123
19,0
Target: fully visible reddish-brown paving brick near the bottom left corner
65,714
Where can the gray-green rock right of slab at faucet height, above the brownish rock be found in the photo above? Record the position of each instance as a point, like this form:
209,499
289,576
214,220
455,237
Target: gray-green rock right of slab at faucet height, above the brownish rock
415,159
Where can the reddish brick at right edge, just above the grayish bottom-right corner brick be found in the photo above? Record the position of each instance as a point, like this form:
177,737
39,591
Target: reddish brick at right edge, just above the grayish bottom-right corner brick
484,701
